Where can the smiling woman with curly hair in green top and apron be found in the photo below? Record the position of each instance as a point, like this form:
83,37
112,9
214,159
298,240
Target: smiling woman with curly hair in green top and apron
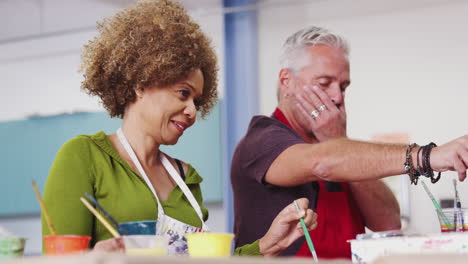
152,66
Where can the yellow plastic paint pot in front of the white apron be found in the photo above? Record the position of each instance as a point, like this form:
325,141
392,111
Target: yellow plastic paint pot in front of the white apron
207,244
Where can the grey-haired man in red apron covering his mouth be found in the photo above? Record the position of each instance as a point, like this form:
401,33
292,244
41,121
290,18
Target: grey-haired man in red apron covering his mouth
302,150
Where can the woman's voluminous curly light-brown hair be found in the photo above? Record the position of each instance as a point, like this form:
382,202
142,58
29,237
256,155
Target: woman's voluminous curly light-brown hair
152,42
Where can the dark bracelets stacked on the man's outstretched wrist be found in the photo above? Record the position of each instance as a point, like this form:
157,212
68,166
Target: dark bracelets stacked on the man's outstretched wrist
423,168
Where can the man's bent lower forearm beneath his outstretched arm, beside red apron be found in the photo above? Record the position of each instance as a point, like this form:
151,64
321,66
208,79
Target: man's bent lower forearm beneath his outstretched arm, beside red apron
377,204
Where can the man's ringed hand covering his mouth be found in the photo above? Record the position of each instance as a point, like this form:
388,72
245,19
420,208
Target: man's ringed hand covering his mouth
319,115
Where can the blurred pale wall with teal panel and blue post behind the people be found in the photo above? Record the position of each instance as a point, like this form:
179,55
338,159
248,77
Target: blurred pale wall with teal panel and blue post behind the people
409,71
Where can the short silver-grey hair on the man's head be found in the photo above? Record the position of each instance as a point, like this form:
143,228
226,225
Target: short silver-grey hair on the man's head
292,52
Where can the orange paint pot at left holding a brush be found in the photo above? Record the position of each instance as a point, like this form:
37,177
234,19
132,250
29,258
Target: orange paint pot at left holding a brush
66,244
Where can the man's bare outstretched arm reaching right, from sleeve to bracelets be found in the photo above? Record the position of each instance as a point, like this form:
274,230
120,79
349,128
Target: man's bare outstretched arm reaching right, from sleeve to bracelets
341,160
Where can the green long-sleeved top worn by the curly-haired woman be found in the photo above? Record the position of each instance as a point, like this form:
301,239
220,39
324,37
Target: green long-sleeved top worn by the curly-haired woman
90,164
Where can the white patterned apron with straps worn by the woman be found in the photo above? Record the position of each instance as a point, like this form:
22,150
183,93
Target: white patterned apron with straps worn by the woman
173,229
